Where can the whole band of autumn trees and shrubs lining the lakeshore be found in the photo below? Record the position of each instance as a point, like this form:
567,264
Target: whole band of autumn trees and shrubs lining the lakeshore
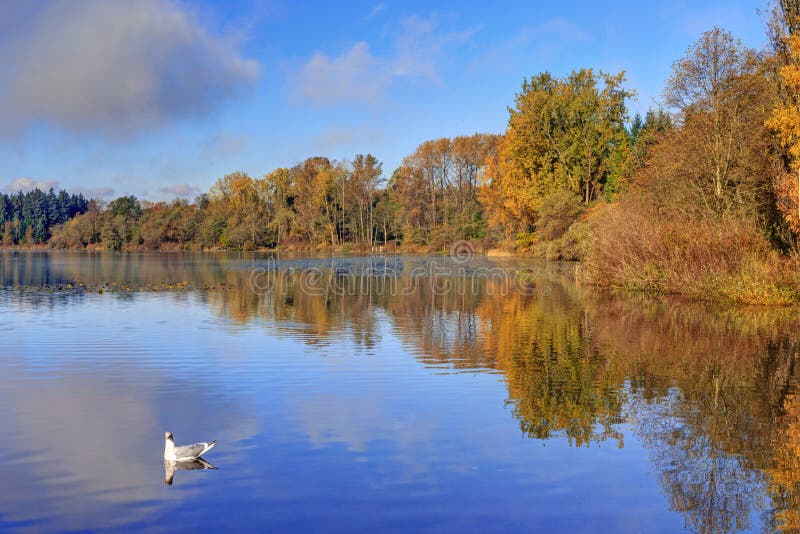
698,196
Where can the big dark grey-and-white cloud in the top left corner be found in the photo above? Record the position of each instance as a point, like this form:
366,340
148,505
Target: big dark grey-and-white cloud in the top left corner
112,66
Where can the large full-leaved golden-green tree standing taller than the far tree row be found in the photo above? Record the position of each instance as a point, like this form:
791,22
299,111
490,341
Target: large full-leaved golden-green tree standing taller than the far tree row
562,135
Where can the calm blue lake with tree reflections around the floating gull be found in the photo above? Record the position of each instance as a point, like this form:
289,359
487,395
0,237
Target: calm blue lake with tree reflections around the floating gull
385,393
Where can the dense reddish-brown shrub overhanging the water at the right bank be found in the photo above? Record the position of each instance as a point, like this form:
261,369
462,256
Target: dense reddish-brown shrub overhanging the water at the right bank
636,245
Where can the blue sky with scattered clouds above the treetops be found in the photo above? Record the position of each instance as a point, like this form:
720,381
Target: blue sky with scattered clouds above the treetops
160,98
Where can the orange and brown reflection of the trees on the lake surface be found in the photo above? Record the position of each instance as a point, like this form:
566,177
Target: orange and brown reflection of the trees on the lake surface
711,393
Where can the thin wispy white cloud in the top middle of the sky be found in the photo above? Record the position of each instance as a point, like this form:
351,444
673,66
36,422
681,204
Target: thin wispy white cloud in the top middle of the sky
357,76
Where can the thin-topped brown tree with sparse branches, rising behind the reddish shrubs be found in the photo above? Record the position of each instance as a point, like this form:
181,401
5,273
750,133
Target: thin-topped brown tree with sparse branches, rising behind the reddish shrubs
722,98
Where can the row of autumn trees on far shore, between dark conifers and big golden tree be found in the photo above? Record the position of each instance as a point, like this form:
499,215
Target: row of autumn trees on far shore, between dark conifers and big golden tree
429,201
